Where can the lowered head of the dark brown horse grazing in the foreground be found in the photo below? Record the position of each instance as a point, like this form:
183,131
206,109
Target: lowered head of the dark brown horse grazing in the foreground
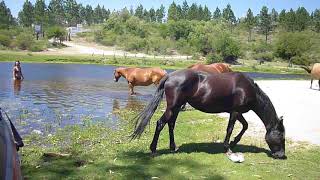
275,138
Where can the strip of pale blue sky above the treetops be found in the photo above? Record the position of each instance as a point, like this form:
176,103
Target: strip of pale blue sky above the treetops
239,7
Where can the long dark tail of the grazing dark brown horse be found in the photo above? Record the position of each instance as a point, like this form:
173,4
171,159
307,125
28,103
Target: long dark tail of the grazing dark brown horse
143,118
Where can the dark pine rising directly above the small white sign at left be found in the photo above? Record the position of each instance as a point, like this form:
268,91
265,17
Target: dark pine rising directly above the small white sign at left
41,16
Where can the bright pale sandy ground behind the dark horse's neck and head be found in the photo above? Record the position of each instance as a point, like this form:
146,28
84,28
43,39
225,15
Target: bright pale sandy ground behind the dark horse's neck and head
297,103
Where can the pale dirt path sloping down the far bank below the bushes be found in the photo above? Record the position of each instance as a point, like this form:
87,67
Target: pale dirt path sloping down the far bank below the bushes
82,47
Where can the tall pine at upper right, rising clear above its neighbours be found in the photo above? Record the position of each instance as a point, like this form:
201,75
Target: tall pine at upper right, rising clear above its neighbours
265,24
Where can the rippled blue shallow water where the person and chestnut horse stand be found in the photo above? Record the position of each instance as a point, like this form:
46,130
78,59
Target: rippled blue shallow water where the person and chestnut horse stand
56,95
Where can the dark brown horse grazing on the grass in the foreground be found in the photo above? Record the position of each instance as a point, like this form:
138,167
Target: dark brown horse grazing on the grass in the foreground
213,93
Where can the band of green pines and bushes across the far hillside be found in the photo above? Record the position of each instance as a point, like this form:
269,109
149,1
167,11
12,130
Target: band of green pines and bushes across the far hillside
189,29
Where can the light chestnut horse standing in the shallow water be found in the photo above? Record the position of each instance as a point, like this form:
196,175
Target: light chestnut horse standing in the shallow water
139,77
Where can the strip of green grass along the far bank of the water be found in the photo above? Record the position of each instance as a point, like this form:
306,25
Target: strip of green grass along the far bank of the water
249,65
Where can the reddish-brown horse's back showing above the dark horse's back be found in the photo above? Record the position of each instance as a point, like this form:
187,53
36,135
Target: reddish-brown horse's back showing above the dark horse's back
212,68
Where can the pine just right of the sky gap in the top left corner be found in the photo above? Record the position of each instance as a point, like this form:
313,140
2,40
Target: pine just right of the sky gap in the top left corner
26,15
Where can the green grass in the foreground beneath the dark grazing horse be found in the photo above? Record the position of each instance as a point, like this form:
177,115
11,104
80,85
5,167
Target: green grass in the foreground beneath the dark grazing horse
98,152
